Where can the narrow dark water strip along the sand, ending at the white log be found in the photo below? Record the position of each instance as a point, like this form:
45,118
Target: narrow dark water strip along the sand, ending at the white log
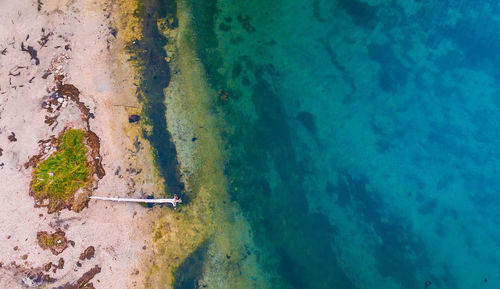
153,80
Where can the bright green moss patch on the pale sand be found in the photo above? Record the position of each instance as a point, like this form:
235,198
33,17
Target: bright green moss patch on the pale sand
60,176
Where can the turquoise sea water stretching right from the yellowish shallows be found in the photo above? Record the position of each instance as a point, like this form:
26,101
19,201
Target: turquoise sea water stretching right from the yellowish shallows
363,140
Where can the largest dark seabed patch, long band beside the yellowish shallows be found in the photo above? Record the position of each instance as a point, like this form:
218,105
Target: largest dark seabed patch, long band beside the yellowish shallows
269,138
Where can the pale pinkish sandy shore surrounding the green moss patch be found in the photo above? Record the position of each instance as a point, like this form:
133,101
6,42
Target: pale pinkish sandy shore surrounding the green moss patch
77,39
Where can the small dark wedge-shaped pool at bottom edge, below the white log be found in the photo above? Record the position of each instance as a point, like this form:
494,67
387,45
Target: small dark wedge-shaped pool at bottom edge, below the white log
190,271
